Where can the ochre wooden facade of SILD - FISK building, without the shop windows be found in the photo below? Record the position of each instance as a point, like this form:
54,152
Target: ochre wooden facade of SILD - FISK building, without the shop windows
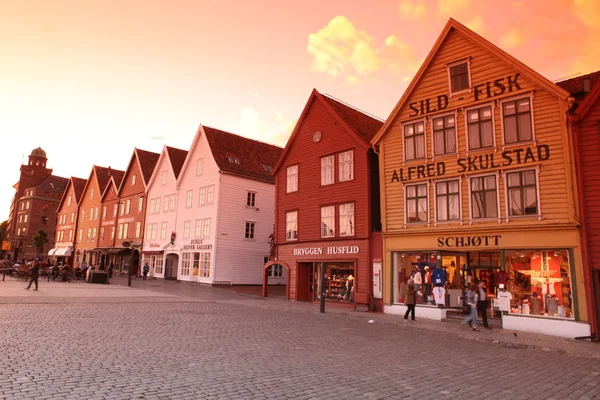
472,132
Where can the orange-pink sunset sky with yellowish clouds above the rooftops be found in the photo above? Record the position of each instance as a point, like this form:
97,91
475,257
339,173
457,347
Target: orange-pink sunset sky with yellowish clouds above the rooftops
90,80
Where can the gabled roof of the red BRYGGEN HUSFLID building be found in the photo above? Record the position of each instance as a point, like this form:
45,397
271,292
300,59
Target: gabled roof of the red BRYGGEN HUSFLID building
359,125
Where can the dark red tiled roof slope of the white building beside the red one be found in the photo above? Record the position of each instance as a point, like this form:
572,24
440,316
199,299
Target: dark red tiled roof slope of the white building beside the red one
242,156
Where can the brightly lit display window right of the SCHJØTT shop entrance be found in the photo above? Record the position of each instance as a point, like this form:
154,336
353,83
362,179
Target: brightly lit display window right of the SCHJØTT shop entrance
538,282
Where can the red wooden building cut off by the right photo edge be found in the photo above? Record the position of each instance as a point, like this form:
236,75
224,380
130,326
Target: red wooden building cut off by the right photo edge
585,124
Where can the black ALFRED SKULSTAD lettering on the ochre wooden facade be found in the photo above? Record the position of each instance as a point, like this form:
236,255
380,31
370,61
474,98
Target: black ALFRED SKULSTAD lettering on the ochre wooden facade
477,163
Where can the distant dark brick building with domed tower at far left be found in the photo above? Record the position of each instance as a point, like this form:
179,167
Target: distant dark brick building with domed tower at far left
34,206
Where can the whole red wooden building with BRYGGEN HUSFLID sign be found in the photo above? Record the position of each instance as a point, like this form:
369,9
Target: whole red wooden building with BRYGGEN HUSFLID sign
327,205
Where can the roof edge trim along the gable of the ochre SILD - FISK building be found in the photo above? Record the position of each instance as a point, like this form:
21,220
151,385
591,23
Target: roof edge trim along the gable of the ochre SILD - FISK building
483,43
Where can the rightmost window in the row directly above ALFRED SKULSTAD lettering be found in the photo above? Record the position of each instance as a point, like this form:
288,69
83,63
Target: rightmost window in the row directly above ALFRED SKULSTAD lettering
516,115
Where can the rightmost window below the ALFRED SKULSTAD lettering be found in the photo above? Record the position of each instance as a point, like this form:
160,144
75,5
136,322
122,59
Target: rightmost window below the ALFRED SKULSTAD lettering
522,193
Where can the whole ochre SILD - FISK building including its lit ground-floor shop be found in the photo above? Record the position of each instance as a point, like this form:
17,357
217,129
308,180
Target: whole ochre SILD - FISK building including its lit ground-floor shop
477,184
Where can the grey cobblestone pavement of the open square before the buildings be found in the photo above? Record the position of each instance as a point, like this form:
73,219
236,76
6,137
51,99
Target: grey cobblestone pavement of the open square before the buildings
218,344
